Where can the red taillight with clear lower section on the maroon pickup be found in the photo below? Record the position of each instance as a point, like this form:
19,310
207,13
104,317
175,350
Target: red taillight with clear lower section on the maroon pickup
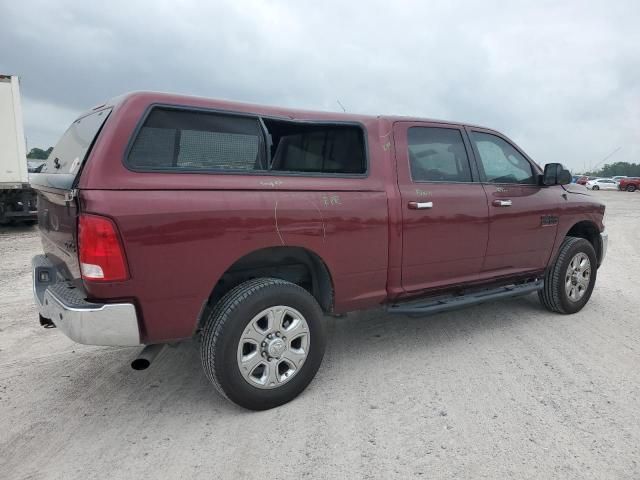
100,250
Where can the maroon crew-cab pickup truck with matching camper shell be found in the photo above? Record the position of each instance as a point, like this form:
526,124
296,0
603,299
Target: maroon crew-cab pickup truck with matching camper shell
168,217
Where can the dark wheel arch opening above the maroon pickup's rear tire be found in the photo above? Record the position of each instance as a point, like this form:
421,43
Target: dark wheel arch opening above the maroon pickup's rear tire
297,265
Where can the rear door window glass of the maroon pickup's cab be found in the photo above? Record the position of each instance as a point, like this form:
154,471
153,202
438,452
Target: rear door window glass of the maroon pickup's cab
437,155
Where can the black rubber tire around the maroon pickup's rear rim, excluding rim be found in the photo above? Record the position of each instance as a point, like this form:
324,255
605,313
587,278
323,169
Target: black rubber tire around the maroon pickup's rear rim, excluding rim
225,325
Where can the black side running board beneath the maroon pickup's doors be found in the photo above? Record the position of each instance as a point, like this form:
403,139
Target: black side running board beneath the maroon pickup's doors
441,304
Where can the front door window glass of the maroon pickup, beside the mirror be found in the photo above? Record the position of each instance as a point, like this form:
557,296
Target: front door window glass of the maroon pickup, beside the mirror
501,162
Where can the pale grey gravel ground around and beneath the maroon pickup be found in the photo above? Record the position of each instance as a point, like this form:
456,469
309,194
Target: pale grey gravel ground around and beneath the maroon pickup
503,390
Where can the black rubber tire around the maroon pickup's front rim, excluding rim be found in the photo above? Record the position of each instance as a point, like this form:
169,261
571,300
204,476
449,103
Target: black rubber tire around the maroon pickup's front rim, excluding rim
554,296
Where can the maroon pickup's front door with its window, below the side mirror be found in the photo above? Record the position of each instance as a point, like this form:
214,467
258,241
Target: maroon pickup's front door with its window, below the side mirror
523,216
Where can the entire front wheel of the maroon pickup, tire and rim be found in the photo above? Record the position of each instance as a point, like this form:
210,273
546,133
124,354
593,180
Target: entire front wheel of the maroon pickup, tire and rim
570,279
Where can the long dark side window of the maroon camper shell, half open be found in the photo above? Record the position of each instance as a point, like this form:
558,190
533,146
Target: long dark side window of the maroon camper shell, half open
184,140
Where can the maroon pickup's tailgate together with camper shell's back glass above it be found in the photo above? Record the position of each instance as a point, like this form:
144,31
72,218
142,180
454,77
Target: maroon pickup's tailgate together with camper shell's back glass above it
57,207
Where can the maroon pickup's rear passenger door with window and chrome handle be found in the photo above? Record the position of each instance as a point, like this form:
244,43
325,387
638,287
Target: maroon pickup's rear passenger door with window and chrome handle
444,208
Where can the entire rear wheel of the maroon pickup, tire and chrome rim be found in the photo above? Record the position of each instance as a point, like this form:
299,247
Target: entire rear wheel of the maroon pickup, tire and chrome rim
263,343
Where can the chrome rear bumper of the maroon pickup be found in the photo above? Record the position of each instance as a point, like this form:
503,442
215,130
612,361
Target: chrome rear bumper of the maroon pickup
82,321
